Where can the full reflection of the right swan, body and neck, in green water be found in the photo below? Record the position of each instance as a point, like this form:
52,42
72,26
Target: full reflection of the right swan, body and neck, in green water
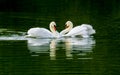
80,47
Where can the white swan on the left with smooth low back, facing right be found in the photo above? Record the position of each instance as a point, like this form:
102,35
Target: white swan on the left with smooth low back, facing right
43,32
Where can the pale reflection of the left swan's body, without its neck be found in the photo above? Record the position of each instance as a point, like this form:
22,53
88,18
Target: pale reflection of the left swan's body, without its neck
38,45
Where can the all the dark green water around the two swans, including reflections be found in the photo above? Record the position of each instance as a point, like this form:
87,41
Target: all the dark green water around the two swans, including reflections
67,56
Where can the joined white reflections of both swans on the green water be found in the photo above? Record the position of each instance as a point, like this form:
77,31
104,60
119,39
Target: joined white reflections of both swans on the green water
74,47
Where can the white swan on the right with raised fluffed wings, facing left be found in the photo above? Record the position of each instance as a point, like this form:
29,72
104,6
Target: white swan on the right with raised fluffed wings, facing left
84,30
